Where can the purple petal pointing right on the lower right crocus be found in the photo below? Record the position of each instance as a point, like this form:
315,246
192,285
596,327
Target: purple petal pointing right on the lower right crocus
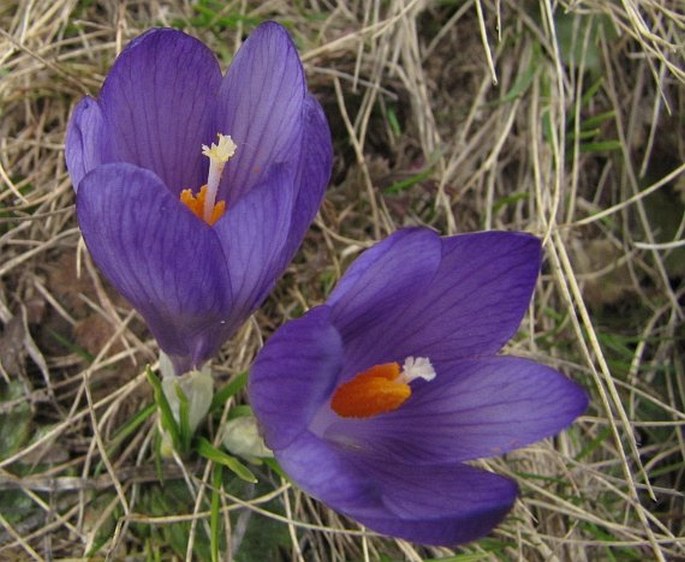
474,408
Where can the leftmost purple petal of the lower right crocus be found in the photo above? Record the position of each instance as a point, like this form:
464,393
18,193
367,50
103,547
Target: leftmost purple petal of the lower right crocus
294,374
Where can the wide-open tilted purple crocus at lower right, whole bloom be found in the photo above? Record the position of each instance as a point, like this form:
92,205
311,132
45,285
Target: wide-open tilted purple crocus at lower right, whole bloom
375,401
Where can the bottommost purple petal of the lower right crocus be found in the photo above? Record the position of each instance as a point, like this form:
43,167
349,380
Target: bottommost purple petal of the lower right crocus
436,504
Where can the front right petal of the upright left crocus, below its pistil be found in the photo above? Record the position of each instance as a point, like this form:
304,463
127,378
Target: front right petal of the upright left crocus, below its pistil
254,234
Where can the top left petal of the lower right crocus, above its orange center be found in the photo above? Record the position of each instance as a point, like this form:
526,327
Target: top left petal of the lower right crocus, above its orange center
376,289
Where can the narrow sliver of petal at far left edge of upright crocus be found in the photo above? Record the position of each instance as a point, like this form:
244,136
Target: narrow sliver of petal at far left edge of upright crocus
82,145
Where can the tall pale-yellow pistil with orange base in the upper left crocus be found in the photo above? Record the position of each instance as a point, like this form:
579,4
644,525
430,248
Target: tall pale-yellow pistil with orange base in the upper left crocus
204,204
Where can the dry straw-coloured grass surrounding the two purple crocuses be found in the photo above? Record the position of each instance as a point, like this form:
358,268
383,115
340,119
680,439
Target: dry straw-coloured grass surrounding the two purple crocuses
564,119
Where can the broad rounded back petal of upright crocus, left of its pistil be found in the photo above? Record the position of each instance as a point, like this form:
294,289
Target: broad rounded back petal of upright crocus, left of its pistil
157,102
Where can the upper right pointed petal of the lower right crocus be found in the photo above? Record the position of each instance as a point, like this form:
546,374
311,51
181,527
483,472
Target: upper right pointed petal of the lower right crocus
476,301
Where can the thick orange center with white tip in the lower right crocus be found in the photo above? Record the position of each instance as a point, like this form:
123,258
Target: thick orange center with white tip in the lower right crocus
380,389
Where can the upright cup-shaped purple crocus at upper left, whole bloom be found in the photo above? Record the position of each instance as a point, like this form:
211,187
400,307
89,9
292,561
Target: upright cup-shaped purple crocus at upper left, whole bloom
194,190
